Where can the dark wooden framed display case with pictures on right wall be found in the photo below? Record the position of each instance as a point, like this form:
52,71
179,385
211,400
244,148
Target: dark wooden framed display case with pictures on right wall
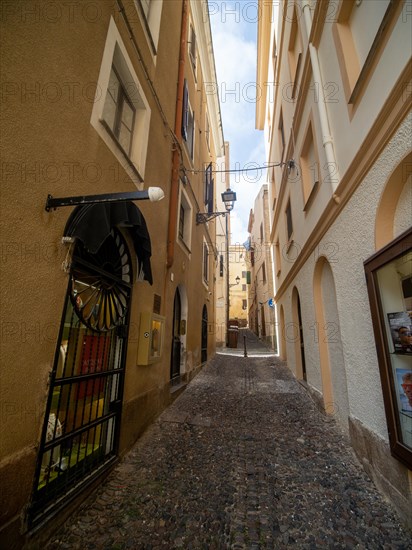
389,282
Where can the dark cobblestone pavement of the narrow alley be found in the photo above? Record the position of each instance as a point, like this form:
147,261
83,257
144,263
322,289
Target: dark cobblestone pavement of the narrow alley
242,459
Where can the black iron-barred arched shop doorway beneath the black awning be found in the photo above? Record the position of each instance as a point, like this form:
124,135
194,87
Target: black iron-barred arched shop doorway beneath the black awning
81,428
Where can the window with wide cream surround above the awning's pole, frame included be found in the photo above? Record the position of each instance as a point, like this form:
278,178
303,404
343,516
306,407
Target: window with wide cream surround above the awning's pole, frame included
122,117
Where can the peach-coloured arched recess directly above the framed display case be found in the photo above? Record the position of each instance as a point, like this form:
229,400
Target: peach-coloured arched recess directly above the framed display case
391,218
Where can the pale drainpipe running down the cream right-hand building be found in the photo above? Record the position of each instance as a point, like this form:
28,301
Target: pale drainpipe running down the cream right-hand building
332,165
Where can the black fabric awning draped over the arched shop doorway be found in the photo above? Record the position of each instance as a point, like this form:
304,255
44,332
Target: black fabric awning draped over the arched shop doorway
92,224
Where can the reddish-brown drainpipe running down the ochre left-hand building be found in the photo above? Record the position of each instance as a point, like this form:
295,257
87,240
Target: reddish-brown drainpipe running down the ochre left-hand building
174,188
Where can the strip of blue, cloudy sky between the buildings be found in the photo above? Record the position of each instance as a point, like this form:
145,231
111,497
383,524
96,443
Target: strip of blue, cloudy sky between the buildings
234,31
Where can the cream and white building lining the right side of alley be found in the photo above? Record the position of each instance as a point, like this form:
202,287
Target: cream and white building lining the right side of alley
335,81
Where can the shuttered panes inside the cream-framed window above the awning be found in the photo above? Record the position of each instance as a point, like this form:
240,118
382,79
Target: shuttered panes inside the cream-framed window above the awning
119,112
